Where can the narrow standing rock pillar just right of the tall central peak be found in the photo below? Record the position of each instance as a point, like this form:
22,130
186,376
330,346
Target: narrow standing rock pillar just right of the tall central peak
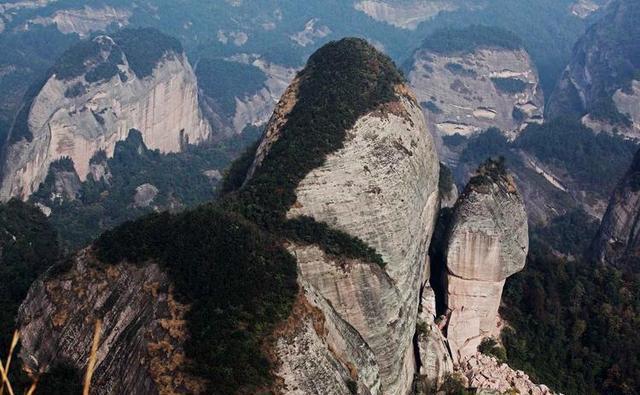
488,242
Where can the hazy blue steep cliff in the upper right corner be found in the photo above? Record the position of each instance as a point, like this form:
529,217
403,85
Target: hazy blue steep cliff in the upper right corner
600,83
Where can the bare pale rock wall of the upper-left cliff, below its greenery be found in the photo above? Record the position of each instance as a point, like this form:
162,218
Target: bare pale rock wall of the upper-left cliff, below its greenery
75,118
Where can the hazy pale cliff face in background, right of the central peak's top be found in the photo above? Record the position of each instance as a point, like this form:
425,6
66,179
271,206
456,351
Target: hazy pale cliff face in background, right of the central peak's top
461,92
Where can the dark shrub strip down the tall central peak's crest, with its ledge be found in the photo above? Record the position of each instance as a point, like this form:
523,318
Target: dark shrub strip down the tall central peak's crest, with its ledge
342,81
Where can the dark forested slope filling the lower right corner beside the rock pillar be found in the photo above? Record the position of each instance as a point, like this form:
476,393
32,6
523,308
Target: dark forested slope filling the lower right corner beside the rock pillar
574,323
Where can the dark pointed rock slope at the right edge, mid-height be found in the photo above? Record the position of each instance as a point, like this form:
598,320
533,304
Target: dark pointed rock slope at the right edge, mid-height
618,239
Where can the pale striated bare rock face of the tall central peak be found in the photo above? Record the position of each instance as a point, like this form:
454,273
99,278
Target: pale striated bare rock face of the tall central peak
382,188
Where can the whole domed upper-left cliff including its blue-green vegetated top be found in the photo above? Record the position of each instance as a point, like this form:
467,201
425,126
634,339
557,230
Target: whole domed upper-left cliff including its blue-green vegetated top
96,93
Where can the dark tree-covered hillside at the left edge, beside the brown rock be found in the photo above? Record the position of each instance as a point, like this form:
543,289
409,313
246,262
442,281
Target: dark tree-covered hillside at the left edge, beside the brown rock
28,246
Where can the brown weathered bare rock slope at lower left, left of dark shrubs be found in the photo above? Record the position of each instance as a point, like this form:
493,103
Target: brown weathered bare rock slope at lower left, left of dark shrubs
143,327
